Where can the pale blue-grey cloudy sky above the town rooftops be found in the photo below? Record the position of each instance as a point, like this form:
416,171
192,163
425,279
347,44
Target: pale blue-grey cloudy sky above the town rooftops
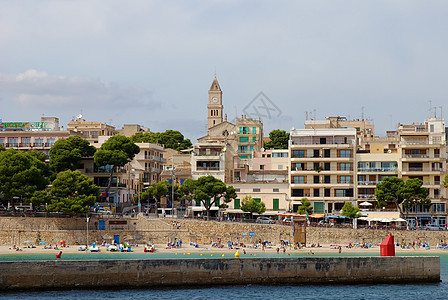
152,62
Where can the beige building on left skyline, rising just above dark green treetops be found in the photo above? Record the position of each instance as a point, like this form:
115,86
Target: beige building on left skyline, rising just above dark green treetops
91,130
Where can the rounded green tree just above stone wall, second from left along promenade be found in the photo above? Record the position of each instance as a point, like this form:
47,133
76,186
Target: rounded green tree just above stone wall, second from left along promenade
72,193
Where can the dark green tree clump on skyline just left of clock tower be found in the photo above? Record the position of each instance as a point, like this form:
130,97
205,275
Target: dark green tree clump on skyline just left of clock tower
172,139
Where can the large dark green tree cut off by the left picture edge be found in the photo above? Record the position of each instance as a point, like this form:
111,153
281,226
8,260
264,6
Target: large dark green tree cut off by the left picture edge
21,174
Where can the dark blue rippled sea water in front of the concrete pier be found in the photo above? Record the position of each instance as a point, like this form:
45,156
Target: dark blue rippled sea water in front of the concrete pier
383,291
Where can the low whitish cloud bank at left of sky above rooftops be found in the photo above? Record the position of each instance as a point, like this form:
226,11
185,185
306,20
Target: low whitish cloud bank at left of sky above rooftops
34,88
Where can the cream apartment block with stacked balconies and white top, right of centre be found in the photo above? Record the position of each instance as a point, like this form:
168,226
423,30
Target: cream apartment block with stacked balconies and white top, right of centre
322,167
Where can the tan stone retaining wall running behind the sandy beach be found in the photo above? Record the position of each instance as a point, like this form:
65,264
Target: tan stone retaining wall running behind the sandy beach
14,231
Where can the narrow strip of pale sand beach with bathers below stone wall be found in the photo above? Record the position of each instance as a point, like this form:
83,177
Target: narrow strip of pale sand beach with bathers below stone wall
207,248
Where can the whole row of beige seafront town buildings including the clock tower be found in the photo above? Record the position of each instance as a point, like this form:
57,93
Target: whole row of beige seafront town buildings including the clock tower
330,162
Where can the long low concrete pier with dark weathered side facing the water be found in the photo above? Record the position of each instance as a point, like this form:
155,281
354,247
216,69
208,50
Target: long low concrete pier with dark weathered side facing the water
71,274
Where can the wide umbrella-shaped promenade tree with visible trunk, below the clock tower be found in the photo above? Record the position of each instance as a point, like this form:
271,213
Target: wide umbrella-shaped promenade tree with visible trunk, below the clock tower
208,190
